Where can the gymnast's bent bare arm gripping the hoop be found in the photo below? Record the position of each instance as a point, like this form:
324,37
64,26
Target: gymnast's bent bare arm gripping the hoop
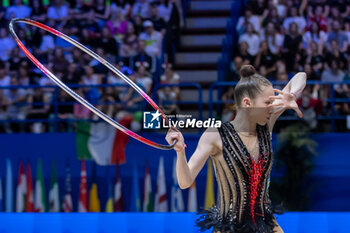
187,171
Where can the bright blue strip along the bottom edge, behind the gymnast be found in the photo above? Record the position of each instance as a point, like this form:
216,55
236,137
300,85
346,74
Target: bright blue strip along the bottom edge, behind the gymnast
293,222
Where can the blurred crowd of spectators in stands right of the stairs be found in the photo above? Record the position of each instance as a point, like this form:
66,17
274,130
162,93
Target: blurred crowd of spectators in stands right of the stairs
282,37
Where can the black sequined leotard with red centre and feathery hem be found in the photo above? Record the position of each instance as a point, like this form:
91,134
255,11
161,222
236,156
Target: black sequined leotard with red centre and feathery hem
244,205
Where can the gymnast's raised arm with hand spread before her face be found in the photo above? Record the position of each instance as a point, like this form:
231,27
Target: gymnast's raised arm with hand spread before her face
286,98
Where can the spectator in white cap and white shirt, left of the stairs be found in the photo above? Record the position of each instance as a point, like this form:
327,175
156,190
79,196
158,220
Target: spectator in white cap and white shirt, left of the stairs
153,39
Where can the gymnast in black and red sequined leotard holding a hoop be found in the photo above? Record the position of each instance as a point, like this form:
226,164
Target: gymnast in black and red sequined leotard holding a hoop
242,156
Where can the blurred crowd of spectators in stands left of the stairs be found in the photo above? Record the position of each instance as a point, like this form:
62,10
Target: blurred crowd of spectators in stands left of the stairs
136,36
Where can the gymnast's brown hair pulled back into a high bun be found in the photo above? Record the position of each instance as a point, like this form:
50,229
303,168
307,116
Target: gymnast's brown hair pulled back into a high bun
250,84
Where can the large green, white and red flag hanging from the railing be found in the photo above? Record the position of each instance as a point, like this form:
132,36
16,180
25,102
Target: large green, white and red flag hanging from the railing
102,142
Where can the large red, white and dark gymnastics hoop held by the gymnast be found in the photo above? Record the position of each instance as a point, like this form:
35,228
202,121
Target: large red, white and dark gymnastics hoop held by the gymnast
75,95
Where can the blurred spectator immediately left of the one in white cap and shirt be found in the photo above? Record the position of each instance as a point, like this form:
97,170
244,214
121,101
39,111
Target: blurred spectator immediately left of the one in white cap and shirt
130,43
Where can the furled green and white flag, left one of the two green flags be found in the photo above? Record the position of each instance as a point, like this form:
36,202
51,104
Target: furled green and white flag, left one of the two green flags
39,201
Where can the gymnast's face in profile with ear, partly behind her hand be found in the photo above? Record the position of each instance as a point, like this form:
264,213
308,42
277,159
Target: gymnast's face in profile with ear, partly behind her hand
258,110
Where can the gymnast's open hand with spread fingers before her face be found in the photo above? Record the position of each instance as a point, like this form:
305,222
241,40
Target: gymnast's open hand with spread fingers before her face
285,100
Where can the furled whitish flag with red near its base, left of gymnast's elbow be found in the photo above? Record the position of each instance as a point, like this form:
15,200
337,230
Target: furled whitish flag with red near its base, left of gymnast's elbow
161,203
